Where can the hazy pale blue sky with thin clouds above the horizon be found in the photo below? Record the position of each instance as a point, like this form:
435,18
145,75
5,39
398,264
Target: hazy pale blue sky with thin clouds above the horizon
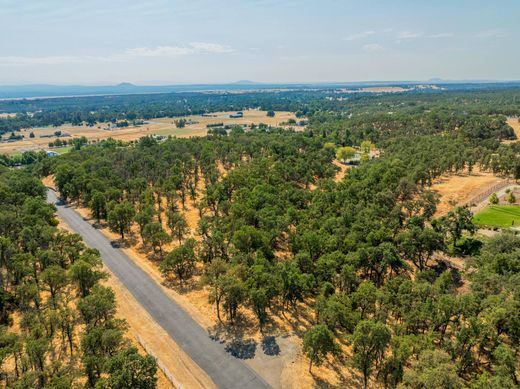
201,41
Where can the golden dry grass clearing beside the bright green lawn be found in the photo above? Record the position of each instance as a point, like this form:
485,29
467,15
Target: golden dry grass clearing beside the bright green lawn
458,189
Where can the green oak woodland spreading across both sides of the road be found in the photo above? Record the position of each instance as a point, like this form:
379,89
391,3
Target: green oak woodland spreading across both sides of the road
277,233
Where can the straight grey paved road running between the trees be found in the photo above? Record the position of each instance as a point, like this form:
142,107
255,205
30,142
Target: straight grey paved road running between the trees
225,370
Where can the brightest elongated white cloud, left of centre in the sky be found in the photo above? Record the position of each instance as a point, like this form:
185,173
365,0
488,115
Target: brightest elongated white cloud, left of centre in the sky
176,51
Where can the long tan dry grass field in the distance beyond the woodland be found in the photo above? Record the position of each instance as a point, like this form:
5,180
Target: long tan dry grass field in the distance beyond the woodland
160,126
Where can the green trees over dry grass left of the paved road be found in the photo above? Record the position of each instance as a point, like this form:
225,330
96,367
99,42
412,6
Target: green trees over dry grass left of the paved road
57,323
